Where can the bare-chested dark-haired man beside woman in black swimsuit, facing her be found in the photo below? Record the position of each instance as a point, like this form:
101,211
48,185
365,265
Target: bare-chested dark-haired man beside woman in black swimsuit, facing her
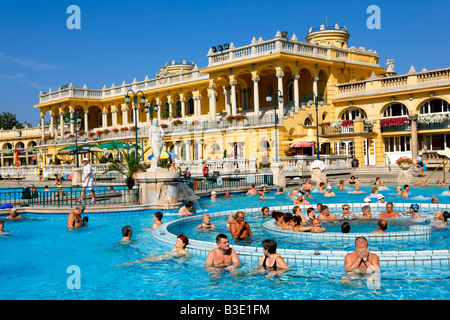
222,257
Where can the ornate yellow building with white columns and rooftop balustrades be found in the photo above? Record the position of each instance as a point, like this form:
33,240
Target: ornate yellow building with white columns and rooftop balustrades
222,110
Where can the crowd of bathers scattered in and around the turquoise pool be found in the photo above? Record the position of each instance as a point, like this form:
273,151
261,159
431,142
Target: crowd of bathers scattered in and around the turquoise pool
314,220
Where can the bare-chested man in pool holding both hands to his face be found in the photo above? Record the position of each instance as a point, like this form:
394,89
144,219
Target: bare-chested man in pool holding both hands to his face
361,259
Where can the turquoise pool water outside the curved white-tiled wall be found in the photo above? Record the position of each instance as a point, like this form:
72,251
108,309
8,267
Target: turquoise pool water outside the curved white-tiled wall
36,255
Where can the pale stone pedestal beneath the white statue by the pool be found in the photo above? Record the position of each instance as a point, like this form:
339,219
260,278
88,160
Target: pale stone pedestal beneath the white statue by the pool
159,187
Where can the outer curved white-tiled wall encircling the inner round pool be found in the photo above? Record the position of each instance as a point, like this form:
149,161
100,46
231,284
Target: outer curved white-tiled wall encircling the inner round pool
305,258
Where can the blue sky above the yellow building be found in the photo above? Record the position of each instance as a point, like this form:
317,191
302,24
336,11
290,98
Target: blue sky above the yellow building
123,40
